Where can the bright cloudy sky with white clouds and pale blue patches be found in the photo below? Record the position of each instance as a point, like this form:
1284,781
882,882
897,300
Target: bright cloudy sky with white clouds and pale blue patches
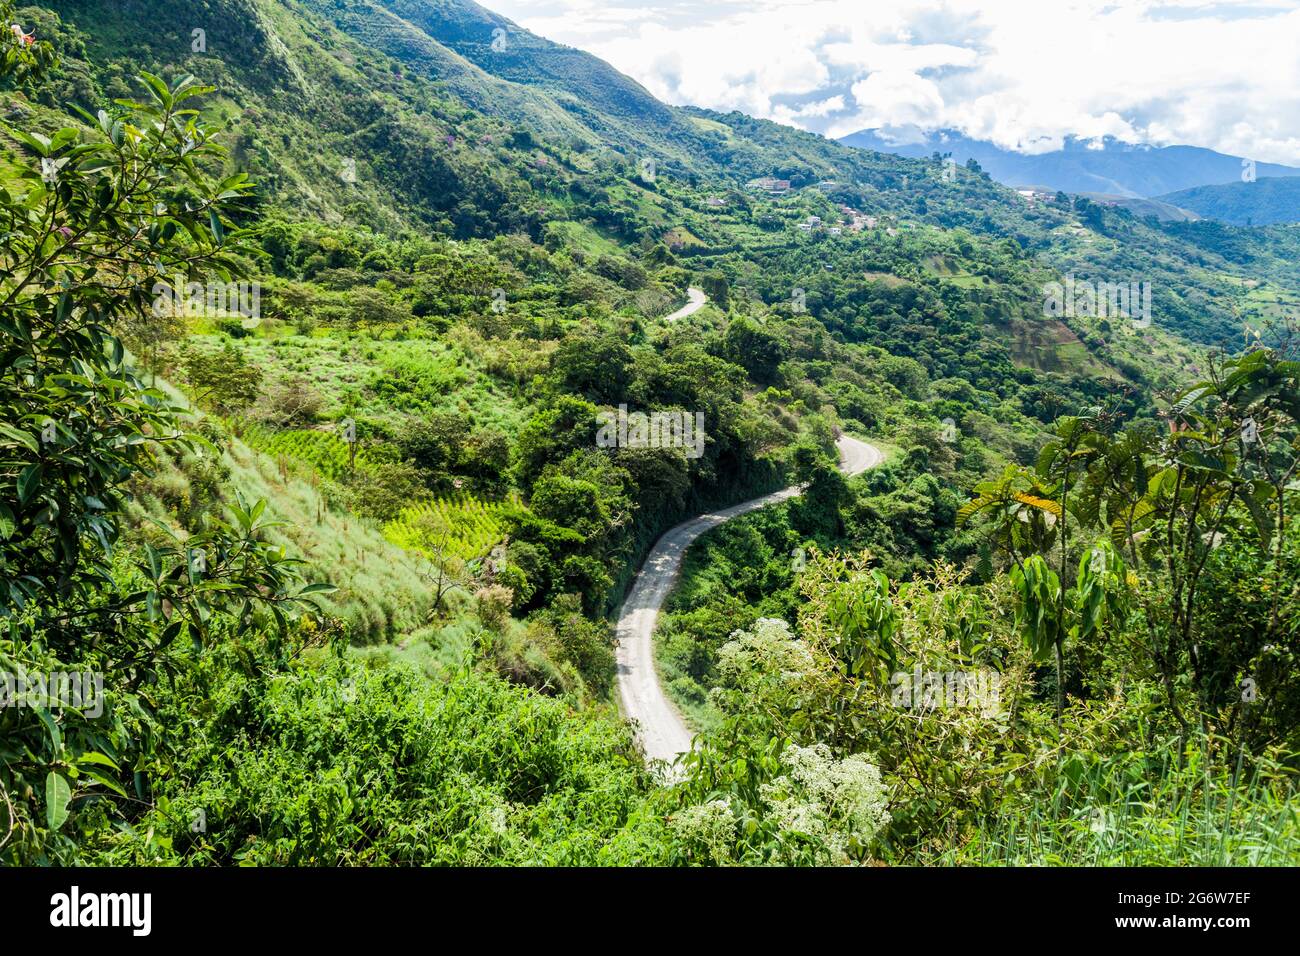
1022,73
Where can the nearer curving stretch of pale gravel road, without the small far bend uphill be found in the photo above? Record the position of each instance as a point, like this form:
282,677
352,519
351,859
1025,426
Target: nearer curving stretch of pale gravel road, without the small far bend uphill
661,732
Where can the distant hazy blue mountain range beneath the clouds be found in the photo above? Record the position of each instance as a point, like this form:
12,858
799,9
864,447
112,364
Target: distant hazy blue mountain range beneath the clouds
1107,167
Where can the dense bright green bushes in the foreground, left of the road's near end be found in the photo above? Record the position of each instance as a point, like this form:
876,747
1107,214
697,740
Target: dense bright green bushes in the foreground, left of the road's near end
336,765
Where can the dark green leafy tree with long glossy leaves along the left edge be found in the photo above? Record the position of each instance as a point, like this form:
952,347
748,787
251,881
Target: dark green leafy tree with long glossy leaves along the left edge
96,218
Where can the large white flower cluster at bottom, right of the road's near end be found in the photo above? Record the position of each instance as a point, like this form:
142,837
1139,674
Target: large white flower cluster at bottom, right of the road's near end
833,802
